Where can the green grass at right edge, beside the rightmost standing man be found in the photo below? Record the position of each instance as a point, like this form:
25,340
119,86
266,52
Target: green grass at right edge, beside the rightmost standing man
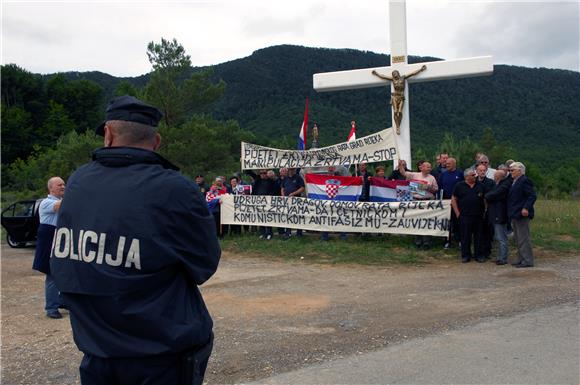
556,225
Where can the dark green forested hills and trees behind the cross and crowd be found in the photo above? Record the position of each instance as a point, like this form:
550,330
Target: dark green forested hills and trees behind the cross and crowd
530,114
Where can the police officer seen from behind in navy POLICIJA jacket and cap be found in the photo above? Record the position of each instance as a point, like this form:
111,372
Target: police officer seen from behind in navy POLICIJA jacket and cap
133,241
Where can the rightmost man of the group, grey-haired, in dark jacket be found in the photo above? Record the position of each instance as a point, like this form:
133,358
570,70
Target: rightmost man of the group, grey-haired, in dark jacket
521,199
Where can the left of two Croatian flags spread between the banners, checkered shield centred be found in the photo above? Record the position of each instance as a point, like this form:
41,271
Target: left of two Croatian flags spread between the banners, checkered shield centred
331,187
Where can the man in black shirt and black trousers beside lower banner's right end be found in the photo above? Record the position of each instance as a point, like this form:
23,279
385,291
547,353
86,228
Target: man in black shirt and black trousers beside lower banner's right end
468,203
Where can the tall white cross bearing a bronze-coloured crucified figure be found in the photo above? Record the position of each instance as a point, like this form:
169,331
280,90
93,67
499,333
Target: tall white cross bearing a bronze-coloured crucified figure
439,70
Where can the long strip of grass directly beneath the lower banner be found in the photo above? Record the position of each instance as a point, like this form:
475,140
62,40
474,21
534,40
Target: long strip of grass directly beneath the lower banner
368,250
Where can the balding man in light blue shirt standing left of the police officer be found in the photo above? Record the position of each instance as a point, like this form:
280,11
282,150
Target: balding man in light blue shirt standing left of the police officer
48,212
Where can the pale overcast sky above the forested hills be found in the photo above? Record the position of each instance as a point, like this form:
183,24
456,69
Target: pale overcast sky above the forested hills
112,36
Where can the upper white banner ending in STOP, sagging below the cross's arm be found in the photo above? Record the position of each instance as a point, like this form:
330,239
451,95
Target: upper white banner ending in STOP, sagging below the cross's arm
379,147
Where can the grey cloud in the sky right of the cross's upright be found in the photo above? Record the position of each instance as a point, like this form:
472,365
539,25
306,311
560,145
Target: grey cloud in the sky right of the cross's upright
530,34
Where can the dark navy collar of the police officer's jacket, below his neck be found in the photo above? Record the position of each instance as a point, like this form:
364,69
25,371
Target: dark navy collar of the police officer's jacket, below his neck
124,156
